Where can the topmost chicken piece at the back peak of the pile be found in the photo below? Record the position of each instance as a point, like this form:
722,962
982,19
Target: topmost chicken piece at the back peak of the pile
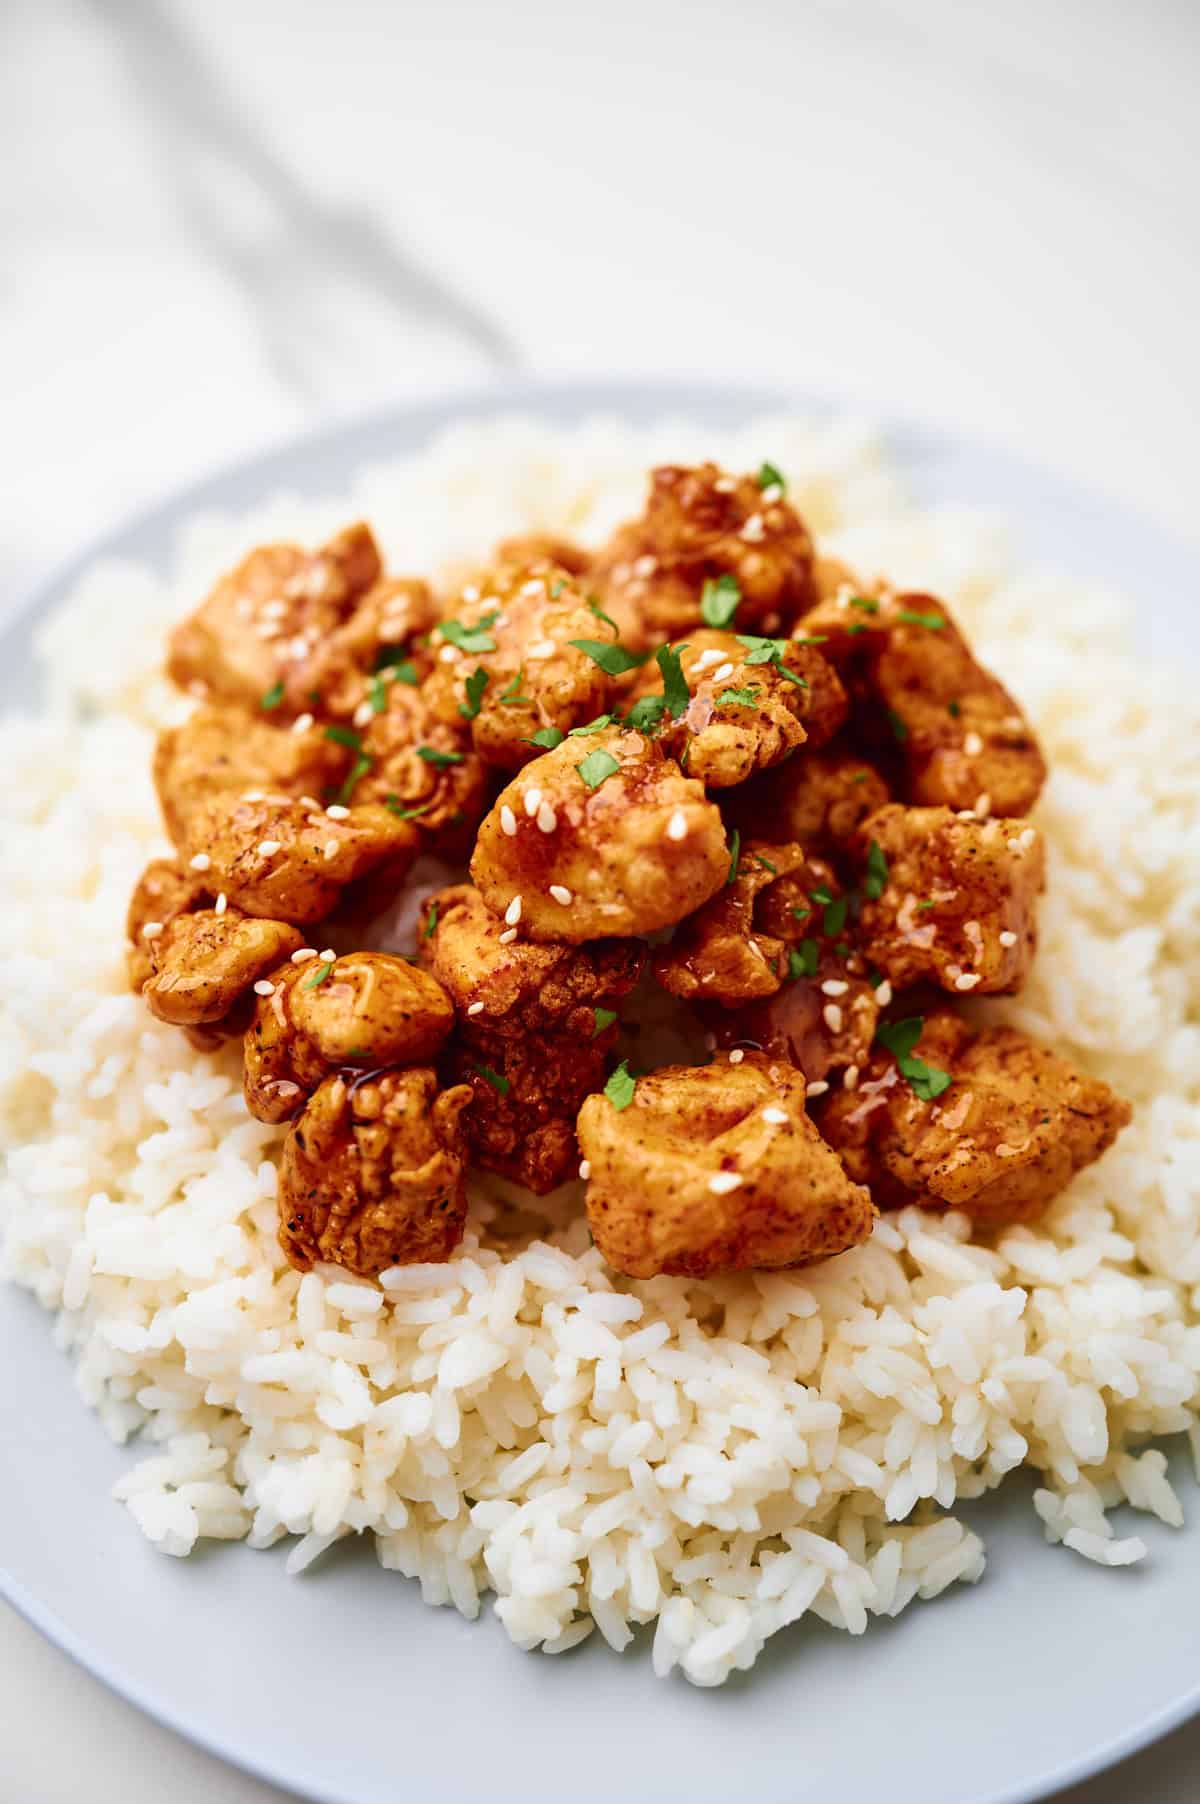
701,528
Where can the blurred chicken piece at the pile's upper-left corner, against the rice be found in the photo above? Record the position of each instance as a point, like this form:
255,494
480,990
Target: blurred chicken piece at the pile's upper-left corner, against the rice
263,623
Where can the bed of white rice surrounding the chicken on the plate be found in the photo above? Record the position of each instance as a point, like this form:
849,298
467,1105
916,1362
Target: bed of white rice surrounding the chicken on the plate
717,1459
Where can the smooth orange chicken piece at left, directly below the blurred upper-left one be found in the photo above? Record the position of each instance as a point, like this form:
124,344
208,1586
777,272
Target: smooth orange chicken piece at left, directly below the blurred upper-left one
223,748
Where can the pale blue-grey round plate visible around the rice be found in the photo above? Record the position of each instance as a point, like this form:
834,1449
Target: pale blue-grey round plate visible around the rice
347,1689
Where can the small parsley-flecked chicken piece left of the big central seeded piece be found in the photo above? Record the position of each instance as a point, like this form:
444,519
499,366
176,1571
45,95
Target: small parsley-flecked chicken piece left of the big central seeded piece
423,769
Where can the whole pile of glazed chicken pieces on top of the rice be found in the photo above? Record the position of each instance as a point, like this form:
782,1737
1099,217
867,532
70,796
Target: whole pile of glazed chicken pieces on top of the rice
703,760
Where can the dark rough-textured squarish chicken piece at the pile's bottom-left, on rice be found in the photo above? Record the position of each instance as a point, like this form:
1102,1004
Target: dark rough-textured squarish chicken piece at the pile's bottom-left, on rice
373,1174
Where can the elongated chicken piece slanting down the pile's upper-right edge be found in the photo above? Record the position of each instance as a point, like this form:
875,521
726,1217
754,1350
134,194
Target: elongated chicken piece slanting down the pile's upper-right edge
919,694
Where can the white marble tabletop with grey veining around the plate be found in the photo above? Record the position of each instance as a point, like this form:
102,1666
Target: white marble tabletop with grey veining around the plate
221,225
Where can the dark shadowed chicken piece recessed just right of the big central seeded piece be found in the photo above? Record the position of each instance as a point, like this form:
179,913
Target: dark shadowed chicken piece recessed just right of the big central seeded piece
818,800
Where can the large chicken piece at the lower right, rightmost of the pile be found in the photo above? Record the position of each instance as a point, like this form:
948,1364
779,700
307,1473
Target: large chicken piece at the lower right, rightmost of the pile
1001,1143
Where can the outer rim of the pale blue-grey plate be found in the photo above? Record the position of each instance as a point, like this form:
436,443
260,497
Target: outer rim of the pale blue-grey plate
558,400
